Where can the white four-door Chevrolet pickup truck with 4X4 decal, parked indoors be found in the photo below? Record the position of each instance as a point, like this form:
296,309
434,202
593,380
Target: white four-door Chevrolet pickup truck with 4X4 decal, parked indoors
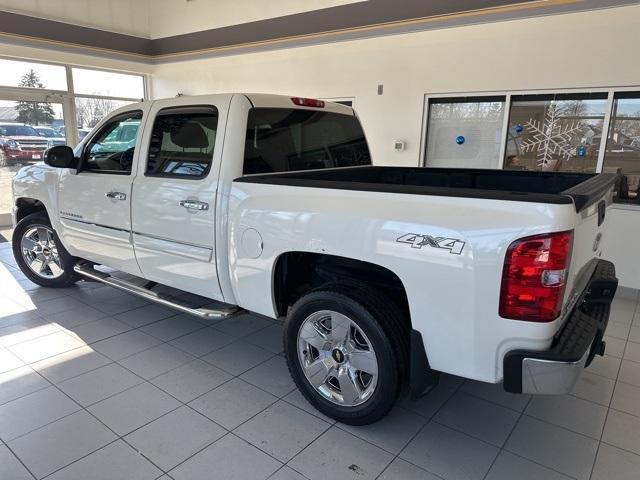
385,276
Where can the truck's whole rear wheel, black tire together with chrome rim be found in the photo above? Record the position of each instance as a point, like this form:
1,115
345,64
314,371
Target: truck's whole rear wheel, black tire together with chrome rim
375,327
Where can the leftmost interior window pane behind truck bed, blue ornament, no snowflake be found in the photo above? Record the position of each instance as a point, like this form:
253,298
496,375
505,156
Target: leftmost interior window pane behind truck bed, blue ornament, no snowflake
465,132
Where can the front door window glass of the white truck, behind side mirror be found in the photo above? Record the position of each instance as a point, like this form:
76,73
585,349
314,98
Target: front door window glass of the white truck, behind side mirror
112,149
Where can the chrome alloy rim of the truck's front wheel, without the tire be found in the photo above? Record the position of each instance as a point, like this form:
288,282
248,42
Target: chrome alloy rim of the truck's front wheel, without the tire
40,252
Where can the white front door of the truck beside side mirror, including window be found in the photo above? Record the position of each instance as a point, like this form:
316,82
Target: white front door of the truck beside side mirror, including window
94,202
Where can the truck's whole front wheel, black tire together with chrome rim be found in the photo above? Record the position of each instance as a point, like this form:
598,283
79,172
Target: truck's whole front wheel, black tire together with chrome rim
47,254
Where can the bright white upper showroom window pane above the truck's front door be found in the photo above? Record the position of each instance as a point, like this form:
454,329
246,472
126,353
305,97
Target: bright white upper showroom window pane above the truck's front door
111,84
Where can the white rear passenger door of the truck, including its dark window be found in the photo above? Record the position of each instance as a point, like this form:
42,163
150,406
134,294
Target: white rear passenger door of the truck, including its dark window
173,207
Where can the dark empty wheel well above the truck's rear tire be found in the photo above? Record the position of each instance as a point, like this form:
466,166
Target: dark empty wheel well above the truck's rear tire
297,273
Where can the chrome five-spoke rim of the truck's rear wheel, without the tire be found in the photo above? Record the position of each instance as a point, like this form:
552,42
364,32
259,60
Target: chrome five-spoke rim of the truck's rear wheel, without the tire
337,358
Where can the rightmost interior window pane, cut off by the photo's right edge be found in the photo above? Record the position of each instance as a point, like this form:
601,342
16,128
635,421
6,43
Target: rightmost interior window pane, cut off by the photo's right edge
622,154
